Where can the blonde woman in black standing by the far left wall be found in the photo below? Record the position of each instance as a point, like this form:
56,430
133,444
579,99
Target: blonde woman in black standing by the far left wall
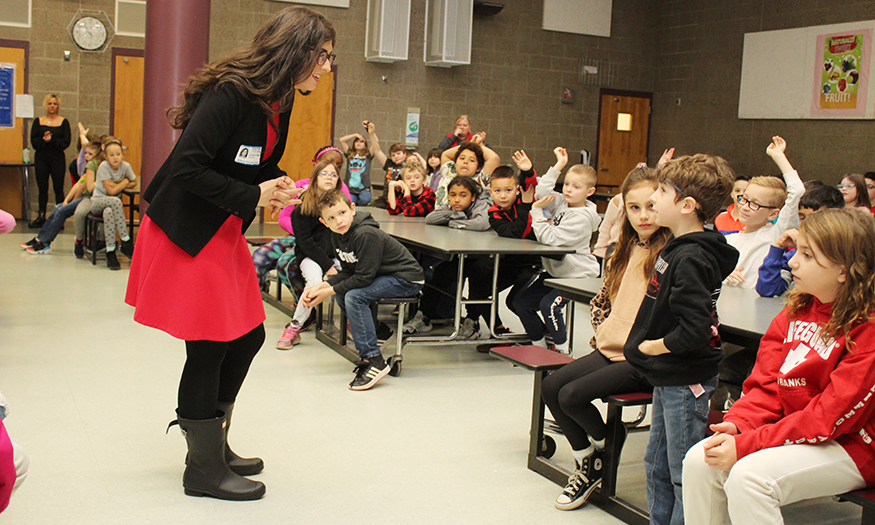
50,136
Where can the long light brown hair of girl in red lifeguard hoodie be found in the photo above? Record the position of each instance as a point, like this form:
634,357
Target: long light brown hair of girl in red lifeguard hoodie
845,237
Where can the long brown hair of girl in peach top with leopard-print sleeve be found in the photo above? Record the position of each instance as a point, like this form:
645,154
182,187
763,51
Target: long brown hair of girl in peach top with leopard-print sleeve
618,260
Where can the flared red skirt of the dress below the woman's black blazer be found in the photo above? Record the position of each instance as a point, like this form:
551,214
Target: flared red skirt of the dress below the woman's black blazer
212,296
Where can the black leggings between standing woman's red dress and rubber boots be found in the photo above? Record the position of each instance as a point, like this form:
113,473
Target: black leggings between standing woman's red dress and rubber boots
214,372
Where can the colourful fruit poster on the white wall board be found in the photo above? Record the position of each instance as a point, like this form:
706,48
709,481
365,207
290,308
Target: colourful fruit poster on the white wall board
842,74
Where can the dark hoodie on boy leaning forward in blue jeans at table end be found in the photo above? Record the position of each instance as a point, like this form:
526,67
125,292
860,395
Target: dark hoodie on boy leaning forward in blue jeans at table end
366,252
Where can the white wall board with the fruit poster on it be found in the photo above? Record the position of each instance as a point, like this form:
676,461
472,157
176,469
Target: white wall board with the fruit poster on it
819,72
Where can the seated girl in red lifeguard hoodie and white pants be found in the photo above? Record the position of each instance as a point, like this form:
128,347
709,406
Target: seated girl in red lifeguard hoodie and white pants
802,429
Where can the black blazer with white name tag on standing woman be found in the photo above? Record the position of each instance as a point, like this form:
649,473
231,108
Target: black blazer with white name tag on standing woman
214,169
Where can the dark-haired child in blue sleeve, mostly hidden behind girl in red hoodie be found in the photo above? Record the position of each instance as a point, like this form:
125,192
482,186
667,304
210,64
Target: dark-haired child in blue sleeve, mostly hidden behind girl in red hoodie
774,273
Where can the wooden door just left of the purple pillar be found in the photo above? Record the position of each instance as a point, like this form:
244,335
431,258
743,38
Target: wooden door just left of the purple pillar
127,106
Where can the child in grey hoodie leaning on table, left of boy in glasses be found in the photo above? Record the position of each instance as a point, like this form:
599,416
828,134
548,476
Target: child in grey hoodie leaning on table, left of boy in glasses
465,209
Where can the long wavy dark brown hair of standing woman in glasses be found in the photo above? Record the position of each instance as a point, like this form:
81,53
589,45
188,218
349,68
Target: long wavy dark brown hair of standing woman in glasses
282,54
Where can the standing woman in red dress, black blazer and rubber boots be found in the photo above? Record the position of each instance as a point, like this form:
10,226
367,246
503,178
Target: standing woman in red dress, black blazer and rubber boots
192,275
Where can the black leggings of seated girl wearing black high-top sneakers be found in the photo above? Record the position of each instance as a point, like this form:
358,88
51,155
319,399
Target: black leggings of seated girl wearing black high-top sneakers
570,391
